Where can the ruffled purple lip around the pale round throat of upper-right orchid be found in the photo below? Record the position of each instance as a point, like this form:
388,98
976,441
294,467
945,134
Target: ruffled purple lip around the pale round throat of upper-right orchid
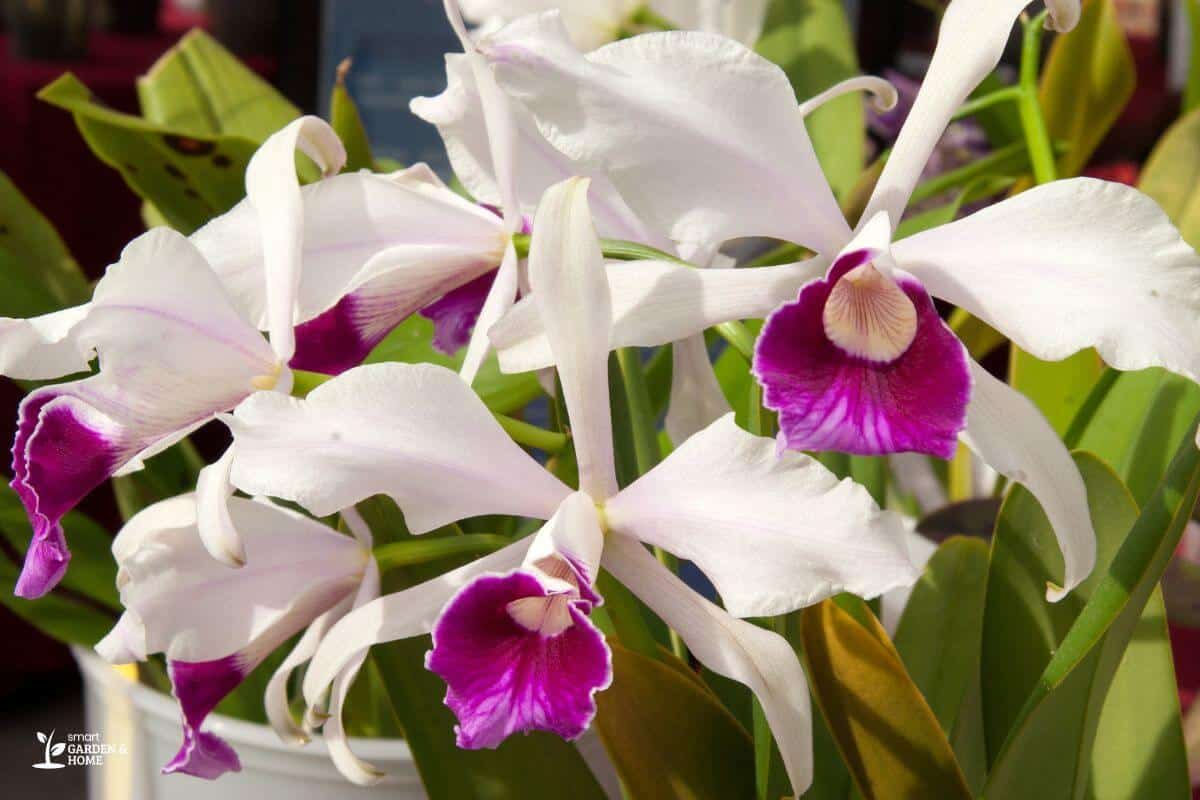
832,400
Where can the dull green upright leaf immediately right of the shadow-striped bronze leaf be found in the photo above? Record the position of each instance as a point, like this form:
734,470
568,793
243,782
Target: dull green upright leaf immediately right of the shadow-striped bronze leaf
939,640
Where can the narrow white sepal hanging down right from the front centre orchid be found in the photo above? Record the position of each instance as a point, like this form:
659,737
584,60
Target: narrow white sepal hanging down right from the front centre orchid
742,652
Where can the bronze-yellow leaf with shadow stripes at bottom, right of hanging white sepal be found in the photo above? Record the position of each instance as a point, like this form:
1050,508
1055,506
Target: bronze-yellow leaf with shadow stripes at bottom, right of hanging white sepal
886,731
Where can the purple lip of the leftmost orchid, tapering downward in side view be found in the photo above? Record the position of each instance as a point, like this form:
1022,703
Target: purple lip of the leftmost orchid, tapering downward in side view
57,460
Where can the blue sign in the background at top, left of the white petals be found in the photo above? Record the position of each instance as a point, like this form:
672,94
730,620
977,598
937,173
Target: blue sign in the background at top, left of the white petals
399,49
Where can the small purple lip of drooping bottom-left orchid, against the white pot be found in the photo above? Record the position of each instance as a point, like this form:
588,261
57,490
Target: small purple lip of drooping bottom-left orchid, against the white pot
200,687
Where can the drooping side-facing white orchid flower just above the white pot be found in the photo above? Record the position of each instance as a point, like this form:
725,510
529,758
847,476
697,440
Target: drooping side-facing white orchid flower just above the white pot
217,624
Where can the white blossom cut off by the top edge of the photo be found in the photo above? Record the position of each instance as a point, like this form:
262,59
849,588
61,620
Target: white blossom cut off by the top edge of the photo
592,23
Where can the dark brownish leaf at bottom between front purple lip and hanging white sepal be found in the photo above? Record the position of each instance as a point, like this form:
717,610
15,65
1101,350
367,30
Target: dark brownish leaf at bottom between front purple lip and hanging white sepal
645,719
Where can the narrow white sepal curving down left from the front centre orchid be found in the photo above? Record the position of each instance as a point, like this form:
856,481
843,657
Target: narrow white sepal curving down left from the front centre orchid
394,617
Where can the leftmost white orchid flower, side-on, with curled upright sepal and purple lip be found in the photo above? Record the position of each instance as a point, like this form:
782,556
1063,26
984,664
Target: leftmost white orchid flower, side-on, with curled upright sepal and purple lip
175,350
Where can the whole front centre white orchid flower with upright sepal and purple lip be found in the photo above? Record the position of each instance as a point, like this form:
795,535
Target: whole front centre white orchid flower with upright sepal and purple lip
773,534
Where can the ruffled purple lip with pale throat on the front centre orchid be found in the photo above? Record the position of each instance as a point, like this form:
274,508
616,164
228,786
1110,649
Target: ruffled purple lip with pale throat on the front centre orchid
513,669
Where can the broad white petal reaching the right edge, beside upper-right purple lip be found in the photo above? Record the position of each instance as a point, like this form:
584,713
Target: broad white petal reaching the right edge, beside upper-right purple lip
1070,266
